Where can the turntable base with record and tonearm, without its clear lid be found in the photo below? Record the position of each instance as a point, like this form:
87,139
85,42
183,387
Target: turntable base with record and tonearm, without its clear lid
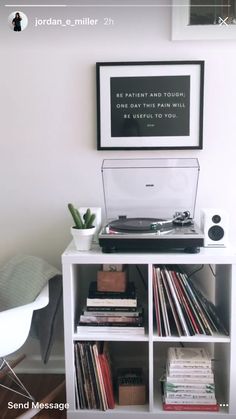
142,237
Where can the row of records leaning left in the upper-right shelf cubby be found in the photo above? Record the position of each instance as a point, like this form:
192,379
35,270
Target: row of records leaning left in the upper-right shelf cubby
180,307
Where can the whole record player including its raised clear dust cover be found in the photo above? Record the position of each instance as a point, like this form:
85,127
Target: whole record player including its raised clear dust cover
150,205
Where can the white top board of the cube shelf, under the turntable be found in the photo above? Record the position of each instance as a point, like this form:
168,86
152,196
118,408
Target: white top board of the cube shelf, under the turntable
95,255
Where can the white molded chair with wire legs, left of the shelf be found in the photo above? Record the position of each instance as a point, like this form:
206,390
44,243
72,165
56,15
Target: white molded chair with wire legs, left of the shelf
14,329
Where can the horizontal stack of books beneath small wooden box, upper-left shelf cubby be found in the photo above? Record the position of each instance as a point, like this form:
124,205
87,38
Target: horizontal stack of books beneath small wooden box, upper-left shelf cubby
112,312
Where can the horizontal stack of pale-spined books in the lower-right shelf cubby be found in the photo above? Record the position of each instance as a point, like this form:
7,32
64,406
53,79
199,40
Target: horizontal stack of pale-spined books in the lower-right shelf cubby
189,382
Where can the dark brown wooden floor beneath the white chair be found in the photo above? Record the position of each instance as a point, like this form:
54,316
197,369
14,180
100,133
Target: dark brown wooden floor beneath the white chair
39,385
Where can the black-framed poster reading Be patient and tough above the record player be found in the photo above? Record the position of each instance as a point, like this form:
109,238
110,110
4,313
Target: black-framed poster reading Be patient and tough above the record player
150,105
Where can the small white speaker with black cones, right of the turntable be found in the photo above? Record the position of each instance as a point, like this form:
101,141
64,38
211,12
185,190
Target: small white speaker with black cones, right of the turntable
215,226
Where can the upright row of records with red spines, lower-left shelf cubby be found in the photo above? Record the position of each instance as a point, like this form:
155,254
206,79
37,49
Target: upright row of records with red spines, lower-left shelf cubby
93,376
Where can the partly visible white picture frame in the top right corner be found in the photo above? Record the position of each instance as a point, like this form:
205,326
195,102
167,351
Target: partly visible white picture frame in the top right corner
182,30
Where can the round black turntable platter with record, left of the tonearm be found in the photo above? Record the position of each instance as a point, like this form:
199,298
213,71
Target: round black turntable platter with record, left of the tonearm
133,224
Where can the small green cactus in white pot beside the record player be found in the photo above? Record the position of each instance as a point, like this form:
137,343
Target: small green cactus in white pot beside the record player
83,229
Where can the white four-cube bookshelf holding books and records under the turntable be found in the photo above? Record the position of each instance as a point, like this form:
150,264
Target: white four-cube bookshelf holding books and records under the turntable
79,268
